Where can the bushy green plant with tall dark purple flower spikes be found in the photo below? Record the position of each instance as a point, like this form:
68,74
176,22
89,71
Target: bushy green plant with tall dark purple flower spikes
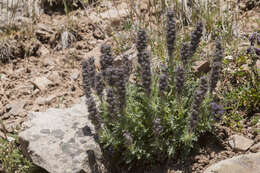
160,114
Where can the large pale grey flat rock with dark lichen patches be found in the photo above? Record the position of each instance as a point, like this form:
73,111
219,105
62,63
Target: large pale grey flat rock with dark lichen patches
61,140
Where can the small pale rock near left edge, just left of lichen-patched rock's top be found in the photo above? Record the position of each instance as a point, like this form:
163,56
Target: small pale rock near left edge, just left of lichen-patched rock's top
15,108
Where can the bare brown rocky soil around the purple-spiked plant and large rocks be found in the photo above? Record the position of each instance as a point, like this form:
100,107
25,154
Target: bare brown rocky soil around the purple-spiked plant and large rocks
46,73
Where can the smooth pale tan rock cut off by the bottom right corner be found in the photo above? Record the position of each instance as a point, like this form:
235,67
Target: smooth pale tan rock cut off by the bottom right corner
249,163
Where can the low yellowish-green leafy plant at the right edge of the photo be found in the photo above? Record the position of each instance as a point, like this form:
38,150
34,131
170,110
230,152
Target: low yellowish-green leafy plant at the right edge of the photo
243,85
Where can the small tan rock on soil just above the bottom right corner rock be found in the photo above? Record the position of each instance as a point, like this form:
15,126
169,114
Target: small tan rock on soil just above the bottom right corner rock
240,143
